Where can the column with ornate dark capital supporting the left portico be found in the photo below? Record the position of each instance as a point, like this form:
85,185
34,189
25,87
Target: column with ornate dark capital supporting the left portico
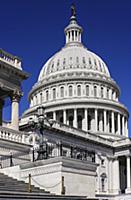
15,110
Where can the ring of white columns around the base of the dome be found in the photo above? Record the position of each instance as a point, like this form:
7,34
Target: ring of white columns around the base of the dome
94,120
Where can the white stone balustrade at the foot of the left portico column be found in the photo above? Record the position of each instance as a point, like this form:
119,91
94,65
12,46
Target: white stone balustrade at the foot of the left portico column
13,135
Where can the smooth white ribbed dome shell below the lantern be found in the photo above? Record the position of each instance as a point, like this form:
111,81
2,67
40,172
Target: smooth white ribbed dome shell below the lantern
74,58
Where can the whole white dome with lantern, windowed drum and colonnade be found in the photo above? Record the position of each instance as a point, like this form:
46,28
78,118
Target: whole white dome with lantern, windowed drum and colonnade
75,88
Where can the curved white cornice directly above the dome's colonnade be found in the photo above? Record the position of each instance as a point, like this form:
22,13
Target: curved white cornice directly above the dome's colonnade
69,103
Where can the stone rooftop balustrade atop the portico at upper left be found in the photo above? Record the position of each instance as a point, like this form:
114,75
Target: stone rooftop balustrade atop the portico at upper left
10,59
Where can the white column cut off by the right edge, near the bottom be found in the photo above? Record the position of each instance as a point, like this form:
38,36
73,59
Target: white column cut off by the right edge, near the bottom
128,174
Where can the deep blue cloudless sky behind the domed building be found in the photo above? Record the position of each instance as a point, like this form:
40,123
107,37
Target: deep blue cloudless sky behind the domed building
34,31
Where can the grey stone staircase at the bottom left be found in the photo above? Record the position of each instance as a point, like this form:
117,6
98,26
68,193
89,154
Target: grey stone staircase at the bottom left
12,189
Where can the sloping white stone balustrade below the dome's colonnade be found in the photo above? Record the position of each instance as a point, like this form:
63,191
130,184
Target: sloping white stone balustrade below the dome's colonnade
81,133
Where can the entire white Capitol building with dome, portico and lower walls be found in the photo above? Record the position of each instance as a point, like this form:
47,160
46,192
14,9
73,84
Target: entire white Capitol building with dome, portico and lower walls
73,139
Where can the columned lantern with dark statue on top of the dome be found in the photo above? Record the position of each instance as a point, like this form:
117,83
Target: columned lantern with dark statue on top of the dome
73,30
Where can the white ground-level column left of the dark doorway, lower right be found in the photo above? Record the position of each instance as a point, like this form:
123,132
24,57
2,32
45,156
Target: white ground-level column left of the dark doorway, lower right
116,179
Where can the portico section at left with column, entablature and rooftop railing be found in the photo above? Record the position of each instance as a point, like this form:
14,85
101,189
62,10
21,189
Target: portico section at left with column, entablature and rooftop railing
11,77
